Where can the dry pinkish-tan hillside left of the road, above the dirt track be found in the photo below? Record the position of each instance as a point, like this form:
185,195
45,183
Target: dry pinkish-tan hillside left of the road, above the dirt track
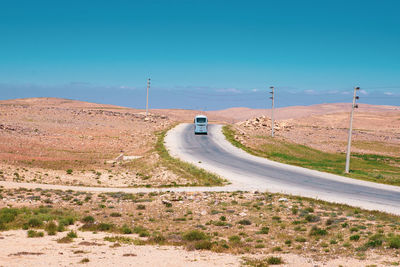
60,141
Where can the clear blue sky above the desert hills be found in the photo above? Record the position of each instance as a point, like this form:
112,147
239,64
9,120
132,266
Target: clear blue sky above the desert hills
201,54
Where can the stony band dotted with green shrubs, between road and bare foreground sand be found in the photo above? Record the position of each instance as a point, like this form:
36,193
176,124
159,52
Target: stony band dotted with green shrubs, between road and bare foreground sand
229,222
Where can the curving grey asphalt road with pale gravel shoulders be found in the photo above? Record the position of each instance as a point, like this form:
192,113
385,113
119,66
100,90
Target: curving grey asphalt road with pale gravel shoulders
246,172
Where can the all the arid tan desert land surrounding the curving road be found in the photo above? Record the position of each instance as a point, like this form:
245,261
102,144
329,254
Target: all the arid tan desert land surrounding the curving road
66,142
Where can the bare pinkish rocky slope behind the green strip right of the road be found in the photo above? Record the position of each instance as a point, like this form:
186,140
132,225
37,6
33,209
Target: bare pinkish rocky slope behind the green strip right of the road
375,132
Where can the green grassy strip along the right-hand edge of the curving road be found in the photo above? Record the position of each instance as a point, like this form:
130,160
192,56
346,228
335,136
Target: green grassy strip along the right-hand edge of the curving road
375,168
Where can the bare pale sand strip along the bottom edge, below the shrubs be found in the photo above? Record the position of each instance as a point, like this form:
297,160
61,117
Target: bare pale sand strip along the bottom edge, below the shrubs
18,250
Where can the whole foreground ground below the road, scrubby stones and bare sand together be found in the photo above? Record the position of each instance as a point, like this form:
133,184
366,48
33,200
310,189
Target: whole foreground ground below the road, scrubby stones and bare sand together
230,230
